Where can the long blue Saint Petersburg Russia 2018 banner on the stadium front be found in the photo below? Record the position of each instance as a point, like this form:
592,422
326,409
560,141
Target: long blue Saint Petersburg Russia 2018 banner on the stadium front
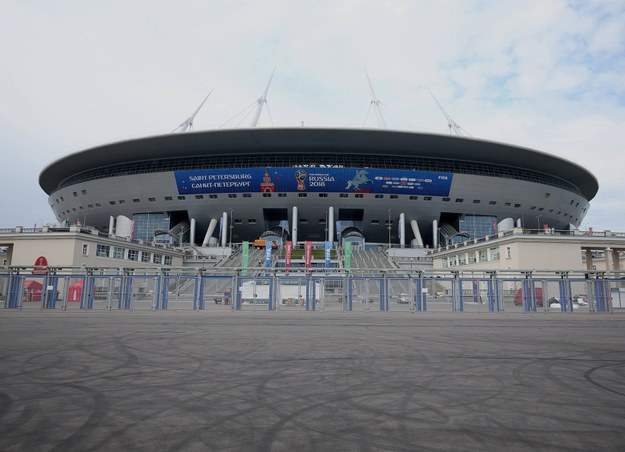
329,180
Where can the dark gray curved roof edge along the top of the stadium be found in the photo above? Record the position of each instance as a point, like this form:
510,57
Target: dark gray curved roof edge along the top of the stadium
307,139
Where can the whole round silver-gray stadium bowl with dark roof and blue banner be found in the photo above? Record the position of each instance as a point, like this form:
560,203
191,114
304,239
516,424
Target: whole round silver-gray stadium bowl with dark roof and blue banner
368,186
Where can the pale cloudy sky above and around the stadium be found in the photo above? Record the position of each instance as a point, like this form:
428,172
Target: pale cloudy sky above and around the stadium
543,74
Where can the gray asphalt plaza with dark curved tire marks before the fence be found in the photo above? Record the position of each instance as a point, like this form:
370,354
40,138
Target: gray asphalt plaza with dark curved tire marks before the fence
320,381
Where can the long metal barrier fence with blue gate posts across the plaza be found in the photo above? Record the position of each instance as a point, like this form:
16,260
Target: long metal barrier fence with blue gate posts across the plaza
201,289
